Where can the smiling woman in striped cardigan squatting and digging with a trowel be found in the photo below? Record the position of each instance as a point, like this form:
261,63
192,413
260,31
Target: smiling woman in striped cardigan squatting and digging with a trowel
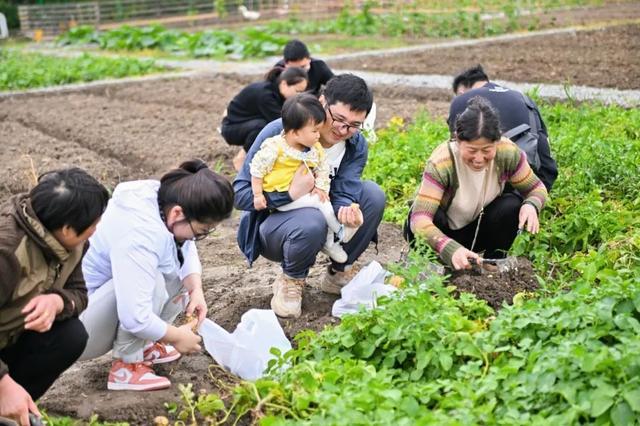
461,208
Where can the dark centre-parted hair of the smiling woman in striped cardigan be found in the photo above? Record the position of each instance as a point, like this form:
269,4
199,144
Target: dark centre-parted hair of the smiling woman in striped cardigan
478,120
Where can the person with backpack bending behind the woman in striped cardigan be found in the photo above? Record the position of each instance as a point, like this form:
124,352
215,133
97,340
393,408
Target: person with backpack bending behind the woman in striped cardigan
520,119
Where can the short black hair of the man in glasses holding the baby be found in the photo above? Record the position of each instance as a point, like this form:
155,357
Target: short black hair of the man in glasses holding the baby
351,90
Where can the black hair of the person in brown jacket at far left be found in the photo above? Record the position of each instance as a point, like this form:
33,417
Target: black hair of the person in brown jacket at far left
68,197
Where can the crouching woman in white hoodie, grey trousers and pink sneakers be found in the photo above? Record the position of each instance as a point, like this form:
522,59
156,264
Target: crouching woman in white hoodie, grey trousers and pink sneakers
142,269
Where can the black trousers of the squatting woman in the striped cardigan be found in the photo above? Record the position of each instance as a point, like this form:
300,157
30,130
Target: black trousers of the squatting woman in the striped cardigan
498,227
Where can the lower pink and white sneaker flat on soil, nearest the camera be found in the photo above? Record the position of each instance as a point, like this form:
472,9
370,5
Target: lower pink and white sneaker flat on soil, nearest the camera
138,376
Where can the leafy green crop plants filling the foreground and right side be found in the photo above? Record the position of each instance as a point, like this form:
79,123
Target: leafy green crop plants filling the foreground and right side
567,355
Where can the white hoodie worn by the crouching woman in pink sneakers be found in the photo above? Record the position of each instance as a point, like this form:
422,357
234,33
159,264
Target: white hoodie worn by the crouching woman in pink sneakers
132,245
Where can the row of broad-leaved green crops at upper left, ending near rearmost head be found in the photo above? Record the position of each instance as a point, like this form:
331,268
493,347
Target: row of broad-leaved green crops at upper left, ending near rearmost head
250,43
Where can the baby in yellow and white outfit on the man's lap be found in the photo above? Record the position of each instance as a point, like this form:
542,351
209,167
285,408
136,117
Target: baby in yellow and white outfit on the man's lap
274,165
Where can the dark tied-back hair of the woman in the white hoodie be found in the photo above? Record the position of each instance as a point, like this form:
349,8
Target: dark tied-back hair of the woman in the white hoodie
204,195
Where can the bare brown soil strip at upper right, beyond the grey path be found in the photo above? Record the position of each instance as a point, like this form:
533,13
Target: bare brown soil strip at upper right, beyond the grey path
585,58
